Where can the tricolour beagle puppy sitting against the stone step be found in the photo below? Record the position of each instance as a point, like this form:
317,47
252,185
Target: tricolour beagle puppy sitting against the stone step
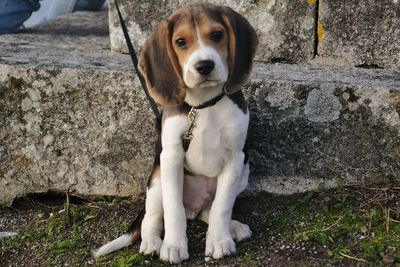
195,65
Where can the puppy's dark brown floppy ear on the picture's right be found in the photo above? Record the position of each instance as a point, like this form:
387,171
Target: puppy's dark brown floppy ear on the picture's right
242,47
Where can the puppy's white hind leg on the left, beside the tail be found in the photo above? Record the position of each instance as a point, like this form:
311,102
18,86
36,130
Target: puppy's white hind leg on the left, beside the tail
152,222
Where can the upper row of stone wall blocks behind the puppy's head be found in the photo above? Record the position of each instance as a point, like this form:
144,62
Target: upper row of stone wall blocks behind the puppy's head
329,32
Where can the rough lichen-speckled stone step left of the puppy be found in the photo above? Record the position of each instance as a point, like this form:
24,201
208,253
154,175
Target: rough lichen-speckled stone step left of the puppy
71,112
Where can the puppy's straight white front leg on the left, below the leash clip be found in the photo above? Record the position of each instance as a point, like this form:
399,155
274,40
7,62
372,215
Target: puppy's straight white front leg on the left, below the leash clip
174,247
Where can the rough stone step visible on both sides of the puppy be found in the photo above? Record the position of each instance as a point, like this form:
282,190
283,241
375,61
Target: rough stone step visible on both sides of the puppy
72,111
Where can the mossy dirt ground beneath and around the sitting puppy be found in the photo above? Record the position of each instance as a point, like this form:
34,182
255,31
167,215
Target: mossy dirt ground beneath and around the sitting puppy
342,227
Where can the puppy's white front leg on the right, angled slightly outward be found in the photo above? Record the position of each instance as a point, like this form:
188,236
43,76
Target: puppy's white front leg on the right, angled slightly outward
219,240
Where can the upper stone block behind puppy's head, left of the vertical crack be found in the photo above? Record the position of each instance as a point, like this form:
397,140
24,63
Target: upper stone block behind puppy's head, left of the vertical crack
285,27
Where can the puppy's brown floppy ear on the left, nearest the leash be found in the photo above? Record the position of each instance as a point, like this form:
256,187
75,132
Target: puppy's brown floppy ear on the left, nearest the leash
159,66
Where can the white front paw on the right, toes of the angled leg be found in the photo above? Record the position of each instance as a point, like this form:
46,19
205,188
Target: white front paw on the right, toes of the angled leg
219,247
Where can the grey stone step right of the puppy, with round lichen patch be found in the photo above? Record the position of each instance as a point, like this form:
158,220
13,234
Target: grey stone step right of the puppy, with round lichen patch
314,126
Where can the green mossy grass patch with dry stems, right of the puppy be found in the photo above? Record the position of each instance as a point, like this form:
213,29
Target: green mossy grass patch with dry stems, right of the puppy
344,228
